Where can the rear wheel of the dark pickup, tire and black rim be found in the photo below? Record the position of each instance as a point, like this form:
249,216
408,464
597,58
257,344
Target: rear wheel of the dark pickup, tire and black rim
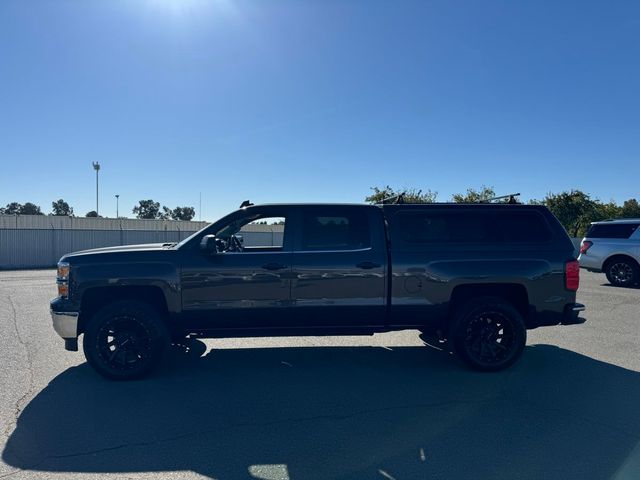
488,334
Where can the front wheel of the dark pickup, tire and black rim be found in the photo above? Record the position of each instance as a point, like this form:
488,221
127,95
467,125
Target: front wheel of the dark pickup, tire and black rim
125,340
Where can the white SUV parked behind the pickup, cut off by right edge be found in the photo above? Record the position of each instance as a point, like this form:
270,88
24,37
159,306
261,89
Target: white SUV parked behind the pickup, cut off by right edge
613,247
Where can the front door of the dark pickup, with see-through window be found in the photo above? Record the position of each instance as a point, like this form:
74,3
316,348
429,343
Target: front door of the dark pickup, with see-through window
247,283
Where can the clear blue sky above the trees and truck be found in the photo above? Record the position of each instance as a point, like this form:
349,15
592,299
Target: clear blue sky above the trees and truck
315,100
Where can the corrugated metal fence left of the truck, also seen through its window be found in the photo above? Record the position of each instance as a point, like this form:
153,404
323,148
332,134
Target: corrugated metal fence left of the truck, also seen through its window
40,241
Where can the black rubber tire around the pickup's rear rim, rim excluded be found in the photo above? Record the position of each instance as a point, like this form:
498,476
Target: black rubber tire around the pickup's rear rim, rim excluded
464,315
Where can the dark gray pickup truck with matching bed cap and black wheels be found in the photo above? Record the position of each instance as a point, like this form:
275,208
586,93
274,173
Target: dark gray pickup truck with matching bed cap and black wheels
473,276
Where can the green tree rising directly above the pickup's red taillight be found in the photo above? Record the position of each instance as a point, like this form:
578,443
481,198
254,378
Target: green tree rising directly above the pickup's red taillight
575,209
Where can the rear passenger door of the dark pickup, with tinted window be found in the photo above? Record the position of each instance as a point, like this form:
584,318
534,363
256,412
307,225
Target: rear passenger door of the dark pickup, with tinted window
339,267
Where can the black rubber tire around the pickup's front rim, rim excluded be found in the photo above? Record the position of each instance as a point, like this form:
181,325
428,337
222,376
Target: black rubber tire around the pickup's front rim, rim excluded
143,313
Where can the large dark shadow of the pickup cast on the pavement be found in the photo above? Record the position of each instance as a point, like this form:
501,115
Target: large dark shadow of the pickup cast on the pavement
347,412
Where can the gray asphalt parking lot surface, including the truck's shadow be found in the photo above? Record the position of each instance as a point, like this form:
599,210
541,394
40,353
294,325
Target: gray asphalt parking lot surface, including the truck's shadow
381,407
